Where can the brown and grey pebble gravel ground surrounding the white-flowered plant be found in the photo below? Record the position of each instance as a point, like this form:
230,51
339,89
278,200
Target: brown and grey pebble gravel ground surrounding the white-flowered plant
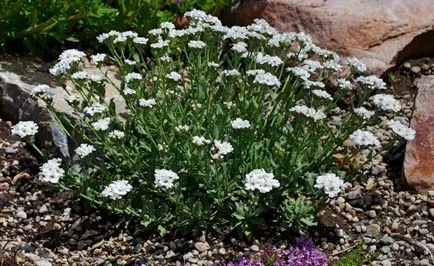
41,226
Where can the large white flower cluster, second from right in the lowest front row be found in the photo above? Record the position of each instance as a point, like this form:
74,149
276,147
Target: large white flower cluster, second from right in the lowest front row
260,180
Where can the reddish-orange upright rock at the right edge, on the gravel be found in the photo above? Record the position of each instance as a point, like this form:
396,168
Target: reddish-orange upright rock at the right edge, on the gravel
419,155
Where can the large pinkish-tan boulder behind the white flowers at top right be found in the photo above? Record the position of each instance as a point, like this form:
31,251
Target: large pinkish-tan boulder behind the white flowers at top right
380,32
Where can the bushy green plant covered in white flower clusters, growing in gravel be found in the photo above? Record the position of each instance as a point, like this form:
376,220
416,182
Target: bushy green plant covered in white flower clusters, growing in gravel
224,129
